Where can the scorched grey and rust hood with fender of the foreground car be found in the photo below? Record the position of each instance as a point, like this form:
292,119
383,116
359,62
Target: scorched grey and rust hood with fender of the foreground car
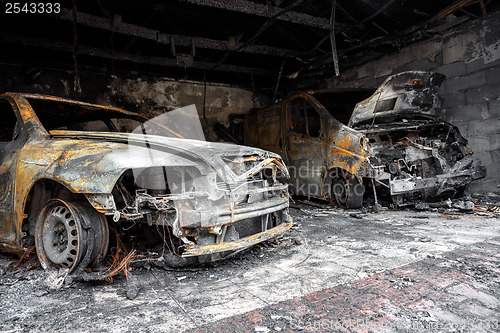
108,155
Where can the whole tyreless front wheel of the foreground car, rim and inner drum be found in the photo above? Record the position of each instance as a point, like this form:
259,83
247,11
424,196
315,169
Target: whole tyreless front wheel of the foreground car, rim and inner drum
70,235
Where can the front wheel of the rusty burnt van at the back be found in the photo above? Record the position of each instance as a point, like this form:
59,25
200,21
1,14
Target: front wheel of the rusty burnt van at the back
348,191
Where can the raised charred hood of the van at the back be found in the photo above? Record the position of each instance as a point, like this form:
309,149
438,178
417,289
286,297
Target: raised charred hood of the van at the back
407,95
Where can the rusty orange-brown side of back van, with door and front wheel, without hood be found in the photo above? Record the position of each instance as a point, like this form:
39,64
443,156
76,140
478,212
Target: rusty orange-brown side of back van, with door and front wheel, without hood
326,159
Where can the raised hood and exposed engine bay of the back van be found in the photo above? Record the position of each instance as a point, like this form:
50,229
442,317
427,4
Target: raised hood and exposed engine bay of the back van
422,156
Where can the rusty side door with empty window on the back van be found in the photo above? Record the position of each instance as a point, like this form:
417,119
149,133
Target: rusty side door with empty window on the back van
306,152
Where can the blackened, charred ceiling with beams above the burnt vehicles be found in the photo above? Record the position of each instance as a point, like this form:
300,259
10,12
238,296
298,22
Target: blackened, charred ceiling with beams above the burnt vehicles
241,42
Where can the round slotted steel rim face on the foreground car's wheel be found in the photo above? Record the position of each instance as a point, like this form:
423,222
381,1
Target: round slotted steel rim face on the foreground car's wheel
60,239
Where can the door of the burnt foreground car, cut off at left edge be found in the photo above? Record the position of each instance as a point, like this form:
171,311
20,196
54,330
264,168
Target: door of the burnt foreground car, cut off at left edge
9,151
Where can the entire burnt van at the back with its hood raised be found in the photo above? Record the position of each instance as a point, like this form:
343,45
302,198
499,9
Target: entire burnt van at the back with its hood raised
394,139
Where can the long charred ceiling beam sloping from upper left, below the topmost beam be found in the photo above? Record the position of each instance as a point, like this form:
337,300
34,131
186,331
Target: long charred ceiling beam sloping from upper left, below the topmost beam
117,26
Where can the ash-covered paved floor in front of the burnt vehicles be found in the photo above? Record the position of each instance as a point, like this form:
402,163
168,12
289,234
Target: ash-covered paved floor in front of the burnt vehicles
396,271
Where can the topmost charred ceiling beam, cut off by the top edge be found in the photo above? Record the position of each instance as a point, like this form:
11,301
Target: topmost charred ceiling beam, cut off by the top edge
248,7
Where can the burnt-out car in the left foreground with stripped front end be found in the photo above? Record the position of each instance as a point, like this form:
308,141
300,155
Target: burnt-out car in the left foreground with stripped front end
71,171
